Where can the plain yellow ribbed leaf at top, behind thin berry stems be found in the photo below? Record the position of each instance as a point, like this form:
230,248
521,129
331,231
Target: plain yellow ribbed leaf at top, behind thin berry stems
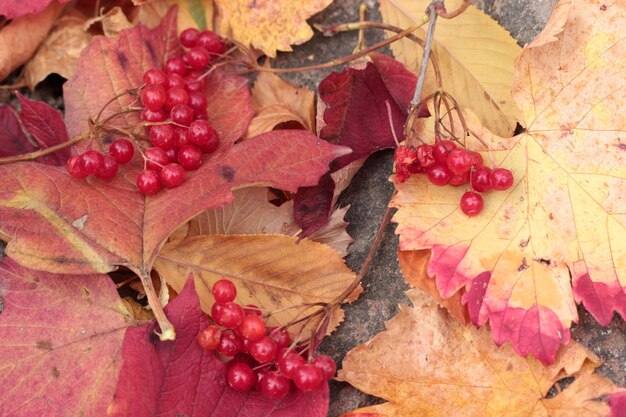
475,56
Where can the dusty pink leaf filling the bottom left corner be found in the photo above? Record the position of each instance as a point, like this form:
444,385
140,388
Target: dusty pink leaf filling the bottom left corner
60,342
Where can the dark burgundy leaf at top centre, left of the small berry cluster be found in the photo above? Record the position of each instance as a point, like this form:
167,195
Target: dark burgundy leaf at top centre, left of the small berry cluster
364,107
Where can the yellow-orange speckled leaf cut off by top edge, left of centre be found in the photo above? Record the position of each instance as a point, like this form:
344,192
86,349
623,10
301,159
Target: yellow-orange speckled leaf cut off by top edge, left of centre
268,25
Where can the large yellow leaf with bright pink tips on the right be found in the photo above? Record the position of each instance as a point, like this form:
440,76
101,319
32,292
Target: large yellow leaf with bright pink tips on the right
556,236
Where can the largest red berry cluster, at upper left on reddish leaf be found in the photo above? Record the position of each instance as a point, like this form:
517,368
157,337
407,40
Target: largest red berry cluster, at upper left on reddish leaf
174,111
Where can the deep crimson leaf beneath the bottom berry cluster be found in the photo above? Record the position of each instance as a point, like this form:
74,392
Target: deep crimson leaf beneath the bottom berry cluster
179,378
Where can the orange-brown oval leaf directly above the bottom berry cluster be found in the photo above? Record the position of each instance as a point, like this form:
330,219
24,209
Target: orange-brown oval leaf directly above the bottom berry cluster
270,271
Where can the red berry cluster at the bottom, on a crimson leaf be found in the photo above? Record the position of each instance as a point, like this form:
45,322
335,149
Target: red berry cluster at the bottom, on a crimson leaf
262,358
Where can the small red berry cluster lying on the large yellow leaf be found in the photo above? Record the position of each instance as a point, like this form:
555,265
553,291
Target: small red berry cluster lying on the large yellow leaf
444,163
